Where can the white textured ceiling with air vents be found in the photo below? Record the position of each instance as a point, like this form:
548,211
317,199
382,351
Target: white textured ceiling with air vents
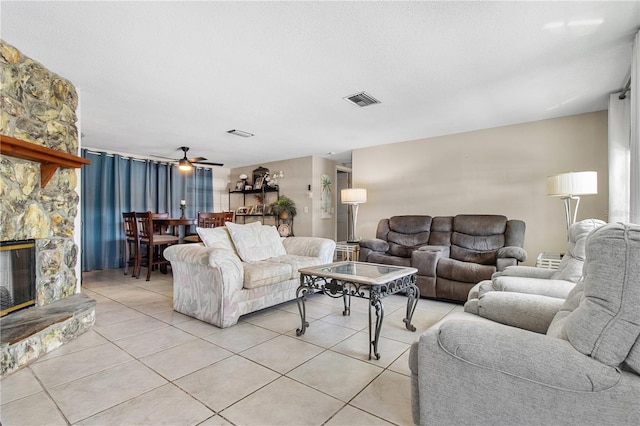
155,76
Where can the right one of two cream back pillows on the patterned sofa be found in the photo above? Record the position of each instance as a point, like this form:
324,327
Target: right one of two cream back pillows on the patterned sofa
256,242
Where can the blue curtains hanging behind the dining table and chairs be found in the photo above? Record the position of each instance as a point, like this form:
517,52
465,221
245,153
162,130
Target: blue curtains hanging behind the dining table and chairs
112,184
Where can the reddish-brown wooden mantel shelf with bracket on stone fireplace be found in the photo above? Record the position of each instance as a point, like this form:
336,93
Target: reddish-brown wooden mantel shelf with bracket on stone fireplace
50,159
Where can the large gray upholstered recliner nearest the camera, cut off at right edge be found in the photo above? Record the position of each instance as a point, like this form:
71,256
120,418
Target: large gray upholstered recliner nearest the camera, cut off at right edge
584,370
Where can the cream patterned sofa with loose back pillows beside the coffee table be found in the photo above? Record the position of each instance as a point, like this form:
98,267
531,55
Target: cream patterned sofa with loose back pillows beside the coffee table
240,269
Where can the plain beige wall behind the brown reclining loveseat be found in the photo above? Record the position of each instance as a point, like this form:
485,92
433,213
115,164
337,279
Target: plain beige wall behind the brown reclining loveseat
494,171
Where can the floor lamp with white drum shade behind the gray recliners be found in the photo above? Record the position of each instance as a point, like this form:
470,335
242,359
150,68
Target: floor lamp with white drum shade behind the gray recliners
569,187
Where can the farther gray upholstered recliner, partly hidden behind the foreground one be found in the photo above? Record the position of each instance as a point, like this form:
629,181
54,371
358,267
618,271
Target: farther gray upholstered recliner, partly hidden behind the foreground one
513,294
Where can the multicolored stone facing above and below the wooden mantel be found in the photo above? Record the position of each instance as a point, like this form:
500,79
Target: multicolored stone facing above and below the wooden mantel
38,106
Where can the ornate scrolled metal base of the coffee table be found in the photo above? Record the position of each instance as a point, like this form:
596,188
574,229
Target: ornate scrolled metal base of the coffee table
374,292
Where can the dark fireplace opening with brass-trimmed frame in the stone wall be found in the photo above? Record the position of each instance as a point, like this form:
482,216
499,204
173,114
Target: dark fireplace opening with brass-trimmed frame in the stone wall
17,275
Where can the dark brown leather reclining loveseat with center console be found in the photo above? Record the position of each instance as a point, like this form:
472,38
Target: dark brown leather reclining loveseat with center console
452,254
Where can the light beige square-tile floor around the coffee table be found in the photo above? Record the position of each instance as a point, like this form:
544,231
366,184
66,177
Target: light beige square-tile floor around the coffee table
144,364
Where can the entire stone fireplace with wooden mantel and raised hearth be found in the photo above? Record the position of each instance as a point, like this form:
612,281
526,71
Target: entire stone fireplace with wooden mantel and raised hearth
38,201
